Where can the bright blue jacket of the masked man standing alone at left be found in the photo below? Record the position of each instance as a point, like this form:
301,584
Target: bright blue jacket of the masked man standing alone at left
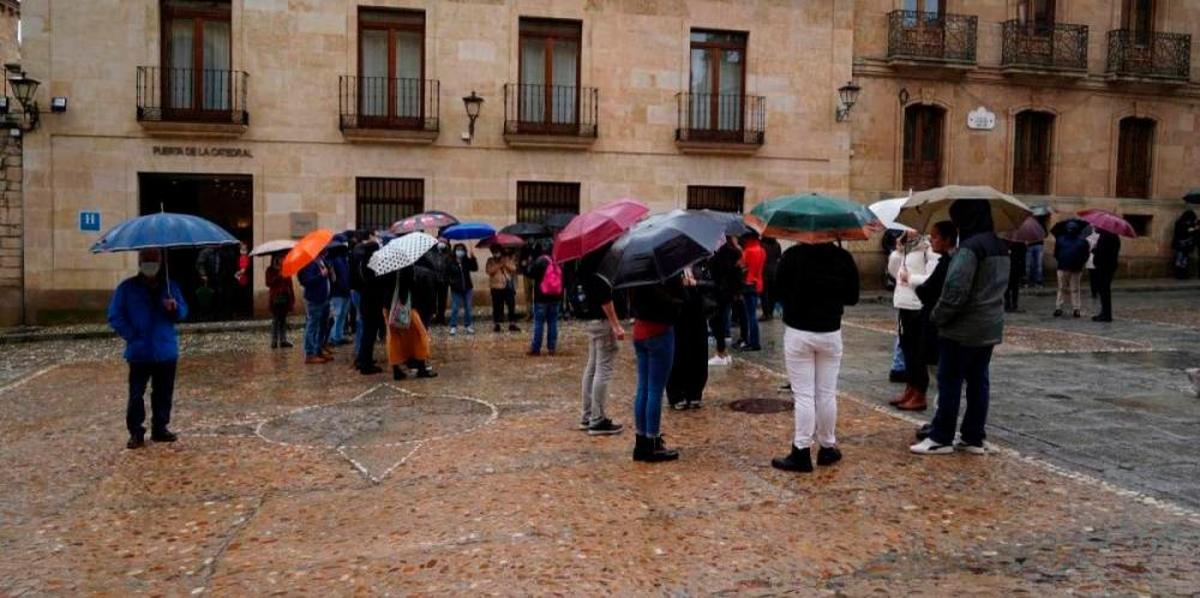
137,315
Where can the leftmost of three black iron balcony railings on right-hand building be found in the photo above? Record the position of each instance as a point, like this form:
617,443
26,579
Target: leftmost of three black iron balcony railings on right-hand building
934,38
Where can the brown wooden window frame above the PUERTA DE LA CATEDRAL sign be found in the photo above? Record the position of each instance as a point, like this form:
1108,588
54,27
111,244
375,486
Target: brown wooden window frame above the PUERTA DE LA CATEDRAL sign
199,11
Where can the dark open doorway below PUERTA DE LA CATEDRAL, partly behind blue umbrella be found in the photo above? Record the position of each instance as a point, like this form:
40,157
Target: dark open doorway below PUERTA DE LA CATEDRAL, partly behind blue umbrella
208,278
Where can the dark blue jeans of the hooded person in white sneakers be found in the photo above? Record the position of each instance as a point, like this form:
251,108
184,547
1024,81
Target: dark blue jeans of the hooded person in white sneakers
959,364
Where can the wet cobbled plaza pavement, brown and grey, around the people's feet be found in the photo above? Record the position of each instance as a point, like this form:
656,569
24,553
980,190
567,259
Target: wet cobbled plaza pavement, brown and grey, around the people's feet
316,480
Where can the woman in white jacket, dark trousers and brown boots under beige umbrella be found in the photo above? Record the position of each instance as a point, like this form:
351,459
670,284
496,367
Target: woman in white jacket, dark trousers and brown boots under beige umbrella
911,264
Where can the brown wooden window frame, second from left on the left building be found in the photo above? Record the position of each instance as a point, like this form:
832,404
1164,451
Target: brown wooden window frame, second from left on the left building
392,119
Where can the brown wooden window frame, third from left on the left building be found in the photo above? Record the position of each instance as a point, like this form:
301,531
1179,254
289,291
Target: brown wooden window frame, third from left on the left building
548,32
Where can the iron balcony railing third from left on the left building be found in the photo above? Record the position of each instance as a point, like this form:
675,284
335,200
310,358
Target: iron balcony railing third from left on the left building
565,111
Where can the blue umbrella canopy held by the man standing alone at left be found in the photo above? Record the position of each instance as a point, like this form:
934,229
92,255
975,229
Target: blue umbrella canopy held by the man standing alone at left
164,230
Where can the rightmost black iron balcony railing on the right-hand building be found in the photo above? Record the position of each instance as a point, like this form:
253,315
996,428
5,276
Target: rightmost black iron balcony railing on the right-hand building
1150,55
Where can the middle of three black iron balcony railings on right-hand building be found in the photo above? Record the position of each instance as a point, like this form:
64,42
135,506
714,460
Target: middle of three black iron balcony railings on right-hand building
1058,47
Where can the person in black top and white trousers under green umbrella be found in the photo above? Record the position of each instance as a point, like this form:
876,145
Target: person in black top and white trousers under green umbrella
817,283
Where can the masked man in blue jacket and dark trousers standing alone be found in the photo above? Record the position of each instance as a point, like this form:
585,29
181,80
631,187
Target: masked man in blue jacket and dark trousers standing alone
145,312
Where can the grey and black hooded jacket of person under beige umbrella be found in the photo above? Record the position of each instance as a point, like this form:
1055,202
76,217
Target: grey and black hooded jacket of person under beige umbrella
971,310
